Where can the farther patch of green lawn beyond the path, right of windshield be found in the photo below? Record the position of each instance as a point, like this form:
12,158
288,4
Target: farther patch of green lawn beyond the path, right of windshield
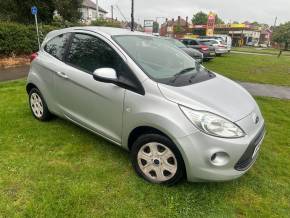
253,68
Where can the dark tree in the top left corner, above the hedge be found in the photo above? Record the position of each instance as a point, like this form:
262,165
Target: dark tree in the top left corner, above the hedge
20,11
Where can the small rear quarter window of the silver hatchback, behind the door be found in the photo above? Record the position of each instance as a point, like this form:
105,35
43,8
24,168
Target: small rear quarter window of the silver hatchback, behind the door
56,46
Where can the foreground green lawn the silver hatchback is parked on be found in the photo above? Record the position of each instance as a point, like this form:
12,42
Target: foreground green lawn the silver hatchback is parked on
57,169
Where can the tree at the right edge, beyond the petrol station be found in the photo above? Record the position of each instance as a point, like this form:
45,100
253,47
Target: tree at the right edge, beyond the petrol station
281,34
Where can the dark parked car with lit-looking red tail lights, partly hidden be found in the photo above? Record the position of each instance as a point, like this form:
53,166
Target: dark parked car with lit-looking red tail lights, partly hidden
207,51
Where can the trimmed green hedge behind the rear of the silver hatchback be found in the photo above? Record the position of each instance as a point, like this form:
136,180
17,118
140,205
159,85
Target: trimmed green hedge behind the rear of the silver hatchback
20,39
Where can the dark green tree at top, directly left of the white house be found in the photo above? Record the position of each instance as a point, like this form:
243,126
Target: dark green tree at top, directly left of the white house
68,9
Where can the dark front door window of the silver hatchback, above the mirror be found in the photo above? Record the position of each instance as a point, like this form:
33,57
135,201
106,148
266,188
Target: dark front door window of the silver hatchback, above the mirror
90,53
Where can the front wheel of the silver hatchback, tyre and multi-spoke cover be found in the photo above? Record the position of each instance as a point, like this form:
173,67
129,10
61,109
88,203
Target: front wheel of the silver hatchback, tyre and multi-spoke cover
156,159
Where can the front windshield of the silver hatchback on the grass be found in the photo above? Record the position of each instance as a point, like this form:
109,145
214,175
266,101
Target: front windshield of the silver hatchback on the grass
160,60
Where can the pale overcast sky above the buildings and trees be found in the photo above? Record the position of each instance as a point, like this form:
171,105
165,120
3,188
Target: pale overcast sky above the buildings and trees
263,11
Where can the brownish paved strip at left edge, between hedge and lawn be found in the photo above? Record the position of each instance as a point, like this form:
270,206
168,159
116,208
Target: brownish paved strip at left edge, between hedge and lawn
13,73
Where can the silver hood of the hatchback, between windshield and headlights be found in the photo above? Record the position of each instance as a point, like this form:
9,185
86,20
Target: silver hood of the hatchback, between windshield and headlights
218,95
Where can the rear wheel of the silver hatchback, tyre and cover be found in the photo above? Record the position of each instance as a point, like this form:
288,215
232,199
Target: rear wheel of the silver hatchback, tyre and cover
38,105
